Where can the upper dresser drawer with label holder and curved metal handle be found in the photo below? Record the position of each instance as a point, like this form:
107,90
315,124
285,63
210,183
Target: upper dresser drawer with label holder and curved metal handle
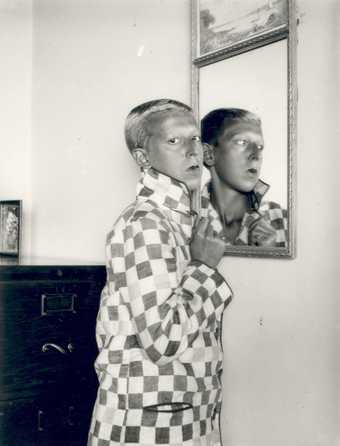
48,331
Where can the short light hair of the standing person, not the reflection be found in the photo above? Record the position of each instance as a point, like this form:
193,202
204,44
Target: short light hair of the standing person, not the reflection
136,122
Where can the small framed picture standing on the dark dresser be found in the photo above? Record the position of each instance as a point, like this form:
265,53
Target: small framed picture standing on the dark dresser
10,227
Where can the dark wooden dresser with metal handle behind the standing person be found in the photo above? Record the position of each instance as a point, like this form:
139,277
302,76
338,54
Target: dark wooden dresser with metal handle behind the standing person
47,350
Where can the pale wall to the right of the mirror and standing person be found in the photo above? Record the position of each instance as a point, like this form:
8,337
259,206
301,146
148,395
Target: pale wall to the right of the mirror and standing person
282,330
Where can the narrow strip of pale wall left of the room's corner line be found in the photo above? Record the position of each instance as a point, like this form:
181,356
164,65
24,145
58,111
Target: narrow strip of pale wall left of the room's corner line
15,106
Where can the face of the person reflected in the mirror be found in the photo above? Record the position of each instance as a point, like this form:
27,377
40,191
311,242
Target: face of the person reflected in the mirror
238,156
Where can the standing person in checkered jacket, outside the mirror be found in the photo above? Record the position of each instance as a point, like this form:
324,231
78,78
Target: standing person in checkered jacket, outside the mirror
159,322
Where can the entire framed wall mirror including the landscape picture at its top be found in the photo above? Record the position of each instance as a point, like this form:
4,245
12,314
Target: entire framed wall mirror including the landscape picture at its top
244,60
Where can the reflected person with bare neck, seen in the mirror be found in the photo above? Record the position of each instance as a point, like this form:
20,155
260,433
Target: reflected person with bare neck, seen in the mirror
233,151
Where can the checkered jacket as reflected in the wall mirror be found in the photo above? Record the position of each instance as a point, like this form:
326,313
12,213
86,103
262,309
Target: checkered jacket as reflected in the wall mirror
258,209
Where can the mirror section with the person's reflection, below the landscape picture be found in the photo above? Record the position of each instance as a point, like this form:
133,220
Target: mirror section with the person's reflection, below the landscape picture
246,104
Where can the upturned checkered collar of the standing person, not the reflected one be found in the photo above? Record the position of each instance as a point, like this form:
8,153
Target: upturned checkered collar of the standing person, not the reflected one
165,191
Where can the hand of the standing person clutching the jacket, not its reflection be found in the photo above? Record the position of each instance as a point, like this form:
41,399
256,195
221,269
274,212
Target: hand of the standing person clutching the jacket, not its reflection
206,246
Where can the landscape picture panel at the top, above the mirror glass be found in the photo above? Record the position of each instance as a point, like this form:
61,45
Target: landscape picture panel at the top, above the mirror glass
223,27
